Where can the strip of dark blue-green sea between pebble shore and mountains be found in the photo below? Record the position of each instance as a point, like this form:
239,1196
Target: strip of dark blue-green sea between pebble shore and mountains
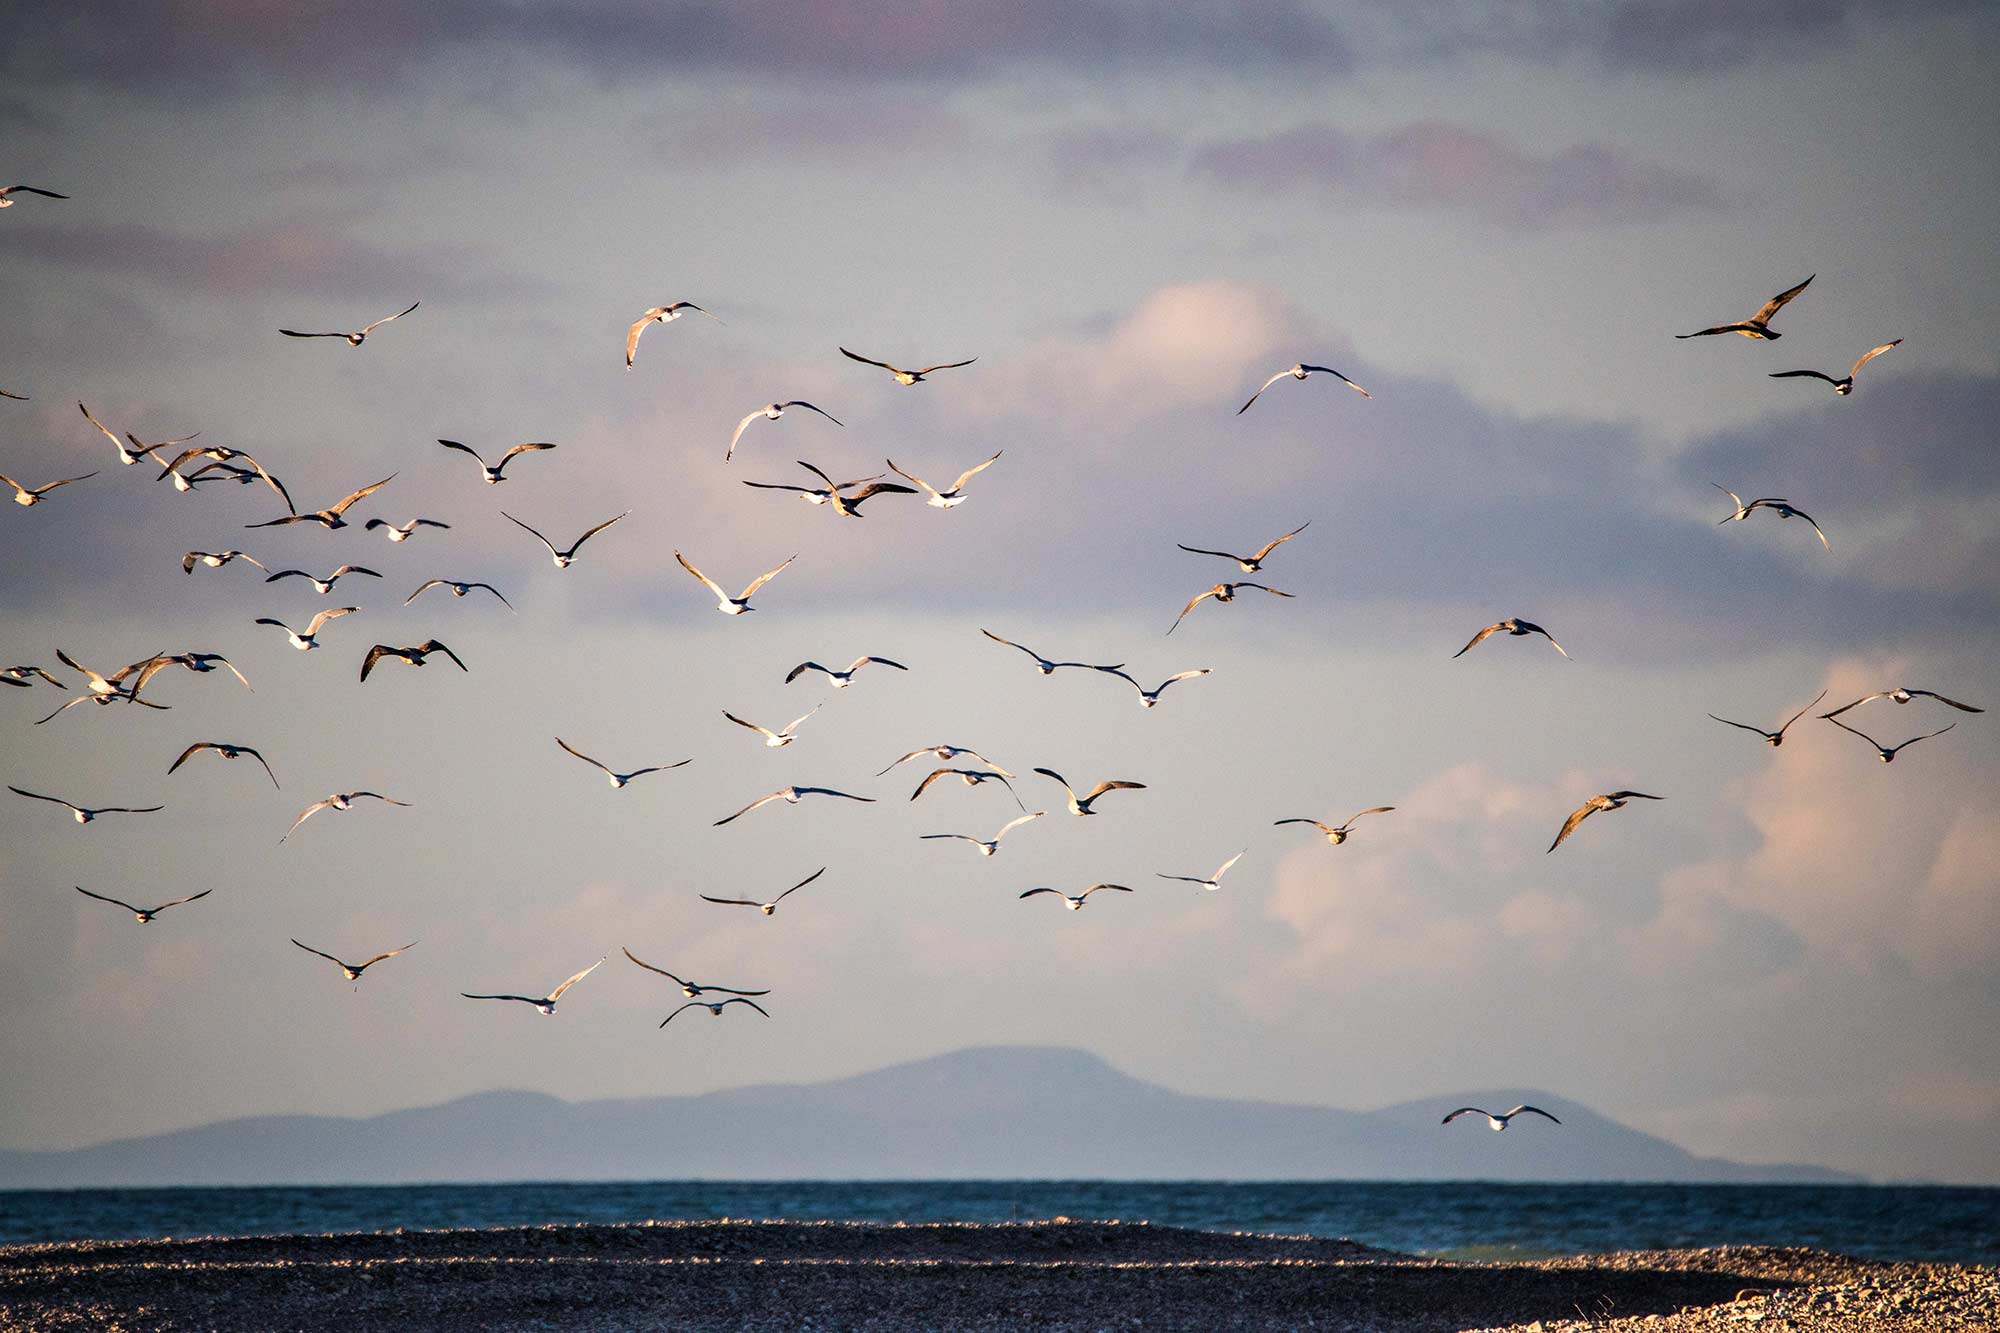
1449,1220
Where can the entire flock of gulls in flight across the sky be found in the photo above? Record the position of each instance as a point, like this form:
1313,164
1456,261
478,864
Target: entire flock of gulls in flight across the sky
203,465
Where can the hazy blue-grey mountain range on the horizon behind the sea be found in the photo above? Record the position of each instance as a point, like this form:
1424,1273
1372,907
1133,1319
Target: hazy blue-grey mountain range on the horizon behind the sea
981,1114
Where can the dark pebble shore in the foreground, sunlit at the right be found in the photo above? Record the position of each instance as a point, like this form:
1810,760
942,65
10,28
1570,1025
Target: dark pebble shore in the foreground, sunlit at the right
1013,1276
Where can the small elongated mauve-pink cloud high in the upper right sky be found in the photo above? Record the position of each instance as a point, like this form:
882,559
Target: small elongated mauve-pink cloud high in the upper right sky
1455,169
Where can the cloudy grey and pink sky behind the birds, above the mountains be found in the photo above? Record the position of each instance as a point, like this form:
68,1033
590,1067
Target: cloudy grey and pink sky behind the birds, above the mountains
1493,219
